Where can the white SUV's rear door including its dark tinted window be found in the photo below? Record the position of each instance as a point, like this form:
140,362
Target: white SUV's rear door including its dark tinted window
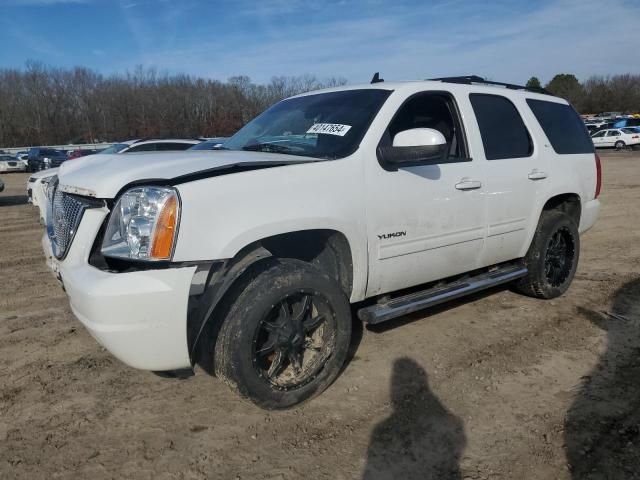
515,173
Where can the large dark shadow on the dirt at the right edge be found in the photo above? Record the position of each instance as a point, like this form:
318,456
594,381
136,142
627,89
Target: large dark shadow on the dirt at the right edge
602,426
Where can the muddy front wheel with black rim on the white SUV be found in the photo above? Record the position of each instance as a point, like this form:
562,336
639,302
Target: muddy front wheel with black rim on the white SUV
285,337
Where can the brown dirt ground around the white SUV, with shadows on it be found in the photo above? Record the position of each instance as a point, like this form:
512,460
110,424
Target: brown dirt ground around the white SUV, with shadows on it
497,386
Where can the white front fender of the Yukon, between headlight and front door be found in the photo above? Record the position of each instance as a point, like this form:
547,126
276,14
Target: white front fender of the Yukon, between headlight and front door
223,214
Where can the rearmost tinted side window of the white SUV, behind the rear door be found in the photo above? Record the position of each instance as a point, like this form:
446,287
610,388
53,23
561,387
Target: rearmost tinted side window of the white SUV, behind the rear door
562,126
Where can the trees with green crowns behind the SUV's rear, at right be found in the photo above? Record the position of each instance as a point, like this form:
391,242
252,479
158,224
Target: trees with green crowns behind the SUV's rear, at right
615,93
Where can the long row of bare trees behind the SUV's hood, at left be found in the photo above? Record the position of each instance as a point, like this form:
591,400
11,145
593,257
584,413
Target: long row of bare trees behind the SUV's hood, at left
41,105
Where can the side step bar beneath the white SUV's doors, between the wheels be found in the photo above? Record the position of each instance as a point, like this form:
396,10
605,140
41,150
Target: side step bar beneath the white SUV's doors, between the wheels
397,307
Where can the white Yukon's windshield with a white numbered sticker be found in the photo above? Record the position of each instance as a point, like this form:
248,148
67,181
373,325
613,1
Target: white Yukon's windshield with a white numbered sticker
325,125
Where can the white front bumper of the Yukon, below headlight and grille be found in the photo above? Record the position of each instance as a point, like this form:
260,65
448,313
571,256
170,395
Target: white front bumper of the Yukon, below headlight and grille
140,317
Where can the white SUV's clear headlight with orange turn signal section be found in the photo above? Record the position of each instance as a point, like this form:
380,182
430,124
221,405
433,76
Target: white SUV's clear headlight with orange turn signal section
143,224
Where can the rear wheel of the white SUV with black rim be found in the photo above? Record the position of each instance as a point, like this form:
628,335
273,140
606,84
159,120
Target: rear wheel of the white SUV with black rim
553,256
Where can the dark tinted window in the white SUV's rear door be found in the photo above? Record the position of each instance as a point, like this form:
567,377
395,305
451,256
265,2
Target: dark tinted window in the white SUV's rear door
503,132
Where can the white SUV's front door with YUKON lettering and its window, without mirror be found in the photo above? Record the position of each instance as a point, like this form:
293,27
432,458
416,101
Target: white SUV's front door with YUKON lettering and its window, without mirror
424,222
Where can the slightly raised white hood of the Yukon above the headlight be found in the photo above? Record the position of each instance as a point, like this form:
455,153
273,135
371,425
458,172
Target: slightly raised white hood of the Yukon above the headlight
103,176
